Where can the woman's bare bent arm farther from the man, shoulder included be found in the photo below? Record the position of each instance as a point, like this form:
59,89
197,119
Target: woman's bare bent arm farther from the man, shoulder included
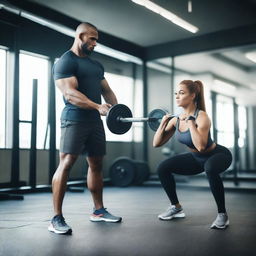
200,133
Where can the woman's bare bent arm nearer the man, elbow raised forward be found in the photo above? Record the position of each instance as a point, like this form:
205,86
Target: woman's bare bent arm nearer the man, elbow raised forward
165,131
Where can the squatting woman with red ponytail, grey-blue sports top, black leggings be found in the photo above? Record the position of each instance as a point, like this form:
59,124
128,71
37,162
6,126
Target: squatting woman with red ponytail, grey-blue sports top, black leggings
192,128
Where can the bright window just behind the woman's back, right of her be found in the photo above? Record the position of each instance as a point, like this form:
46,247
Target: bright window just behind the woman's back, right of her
225,121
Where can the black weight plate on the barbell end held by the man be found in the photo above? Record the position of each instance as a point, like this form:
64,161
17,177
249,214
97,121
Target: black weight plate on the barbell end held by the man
113,122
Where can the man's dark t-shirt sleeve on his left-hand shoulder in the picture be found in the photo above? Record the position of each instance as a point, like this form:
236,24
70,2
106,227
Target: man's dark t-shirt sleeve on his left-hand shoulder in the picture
64,68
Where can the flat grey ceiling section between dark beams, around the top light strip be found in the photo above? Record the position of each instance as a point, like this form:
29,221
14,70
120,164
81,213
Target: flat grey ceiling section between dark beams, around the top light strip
126,20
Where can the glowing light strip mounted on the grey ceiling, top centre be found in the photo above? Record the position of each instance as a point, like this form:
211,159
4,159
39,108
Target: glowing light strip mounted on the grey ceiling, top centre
167,14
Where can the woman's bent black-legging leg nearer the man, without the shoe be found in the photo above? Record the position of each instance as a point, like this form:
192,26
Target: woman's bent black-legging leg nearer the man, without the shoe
183,164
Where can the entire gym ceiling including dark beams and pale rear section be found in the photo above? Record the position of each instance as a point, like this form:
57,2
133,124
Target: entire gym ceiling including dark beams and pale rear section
227,30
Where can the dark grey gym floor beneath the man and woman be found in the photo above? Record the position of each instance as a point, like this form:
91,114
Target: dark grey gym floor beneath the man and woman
23,225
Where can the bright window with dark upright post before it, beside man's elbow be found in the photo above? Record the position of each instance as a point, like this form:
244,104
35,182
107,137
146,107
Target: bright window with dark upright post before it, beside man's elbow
33,67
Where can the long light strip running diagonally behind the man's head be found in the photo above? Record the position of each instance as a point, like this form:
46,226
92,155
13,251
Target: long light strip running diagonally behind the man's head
70,32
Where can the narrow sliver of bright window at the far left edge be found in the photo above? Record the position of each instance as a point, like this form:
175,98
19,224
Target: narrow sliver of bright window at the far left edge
2,98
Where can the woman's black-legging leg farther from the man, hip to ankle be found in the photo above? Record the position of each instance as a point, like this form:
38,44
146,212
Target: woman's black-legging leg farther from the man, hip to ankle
216,164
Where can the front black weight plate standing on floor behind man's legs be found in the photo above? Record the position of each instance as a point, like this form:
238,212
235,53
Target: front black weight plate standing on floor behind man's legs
122,172
